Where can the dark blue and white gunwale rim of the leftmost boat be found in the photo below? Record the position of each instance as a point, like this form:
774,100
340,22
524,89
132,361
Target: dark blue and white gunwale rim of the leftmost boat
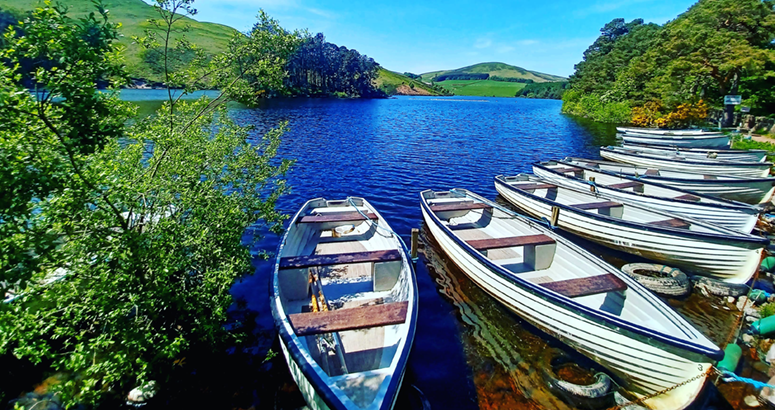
309,370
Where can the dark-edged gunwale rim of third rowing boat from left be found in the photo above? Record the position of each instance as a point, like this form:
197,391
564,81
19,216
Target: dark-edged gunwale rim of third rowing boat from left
739,237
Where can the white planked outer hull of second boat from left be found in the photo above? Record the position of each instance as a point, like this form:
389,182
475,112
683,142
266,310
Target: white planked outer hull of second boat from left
648,365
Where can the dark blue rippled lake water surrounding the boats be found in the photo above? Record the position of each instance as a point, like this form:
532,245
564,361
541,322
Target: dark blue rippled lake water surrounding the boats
469,352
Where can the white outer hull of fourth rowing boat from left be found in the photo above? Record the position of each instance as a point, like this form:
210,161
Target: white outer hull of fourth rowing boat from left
736,217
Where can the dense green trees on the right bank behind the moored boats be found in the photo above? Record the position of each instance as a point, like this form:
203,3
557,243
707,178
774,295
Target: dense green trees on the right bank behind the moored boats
715,48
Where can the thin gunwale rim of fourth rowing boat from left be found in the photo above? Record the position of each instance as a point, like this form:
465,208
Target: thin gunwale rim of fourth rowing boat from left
727,203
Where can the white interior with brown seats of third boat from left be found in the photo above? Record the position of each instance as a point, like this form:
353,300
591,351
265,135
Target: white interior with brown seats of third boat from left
592,203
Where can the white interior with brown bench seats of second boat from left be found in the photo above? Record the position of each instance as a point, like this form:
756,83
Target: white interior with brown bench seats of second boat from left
527,251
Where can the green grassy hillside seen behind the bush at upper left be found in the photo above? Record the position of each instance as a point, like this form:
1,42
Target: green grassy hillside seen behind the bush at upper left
133,16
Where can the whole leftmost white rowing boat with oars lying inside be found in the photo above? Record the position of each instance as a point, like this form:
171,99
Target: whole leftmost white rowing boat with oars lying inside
345,305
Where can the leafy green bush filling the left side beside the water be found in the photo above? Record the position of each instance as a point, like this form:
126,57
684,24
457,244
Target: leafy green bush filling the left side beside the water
142,224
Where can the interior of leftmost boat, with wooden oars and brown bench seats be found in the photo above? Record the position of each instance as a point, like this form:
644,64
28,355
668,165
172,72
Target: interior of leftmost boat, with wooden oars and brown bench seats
346,285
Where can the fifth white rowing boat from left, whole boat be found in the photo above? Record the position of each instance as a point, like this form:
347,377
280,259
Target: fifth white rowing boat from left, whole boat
748,190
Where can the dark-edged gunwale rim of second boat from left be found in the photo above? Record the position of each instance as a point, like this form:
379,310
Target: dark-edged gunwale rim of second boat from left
604,318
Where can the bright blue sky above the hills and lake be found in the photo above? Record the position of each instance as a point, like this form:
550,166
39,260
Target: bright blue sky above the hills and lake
420,36
